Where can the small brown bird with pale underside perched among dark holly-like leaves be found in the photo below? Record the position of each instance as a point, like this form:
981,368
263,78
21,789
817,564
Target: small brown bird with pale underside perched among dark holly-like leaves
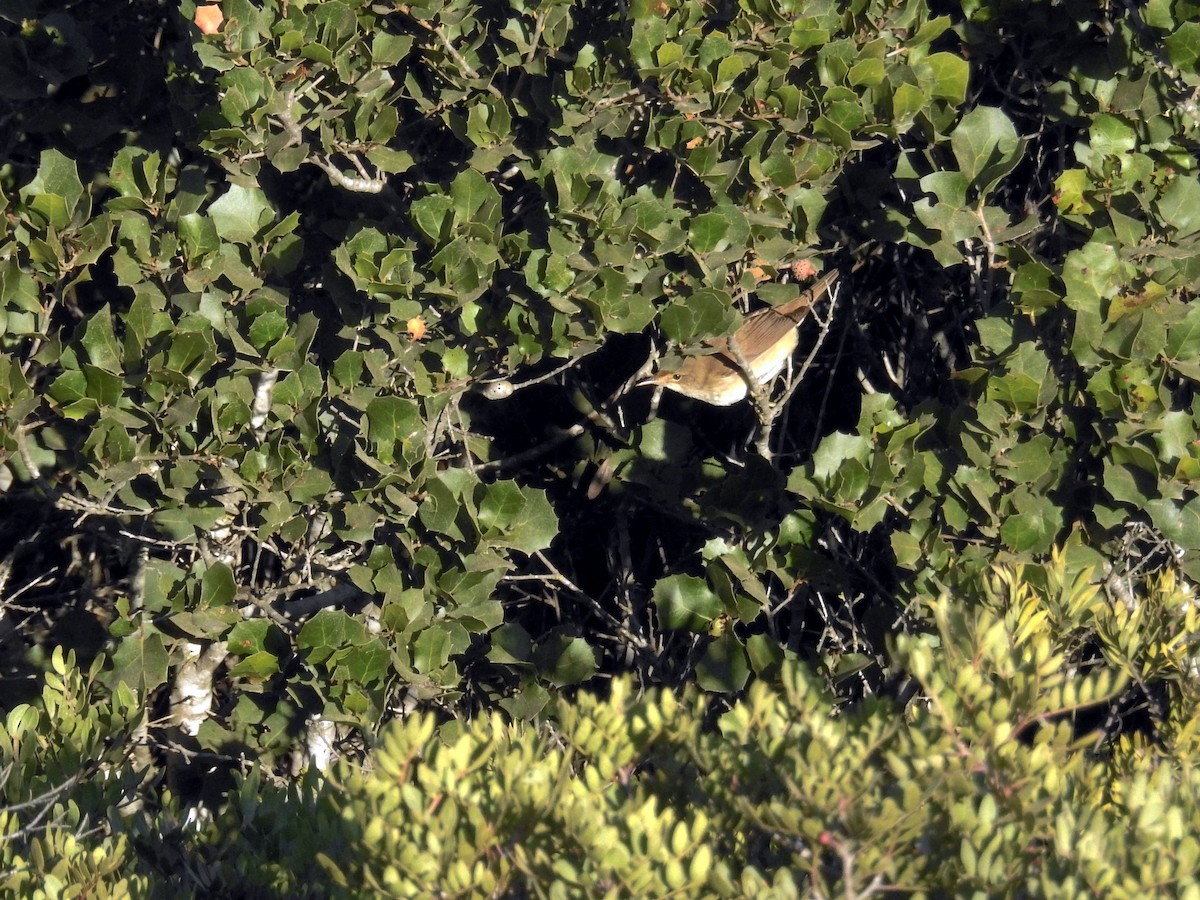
766,341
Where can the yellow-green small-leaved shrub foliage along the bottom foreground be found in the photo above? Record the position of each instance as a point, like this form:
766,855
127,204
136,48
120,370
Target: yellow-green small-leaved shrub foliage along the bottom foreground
998,781
